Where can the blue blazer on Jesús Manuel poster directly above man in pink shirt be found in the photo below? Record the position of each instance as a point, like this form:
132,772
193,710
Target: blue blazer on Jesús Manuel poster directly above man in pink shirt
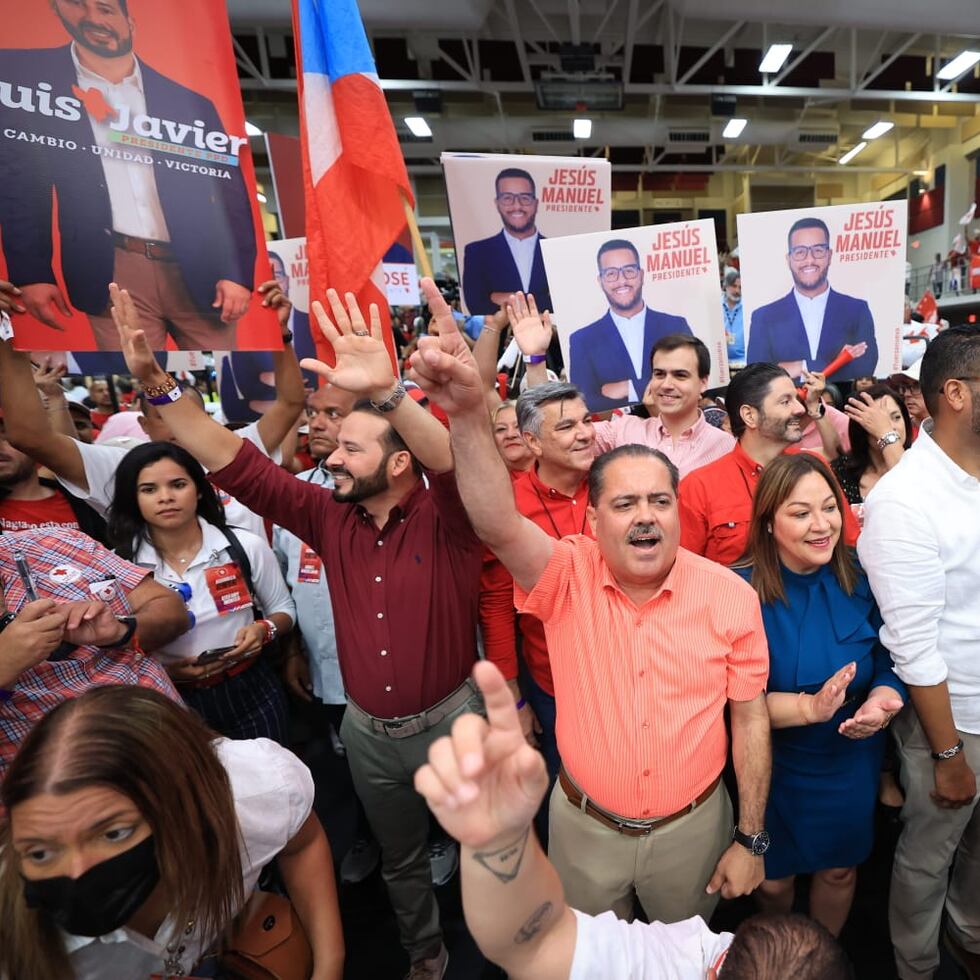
599,356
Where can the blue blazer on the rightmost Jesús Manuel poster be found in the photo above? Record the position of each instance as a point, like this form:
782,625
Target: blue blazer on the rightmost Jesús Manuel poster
776,333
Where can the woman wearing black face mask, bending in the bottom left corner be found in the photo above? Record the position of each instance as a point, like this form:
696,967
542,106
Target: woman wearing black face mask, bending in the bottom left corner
134,838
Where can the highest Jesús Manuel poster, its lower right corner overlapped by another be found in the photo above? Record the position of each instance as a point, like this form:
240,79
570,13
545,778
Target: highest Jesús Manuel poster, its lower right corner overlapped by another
503,208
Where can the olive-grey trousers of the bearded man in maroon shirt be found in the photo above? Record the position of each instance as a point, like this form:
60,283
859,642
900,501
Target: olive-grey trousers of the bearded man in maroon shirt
383,769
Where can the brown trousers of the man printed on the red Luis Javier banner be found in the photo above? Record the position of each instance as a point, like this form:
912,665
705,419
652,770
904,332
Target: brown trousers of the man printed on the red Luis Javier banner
165,308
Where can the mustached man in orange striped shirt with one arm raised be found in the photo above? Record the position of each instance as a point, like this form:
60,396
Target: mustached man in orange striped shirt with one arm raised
648,645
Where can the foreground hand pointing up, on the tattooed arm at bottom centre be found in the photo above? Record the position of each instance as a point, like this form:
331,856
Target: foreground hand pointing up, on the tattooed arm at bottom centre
484,783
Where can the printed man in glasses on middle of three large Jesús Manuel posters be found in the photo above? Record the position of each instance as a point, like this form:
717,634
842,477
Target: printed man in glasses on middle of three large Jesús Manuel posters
610,358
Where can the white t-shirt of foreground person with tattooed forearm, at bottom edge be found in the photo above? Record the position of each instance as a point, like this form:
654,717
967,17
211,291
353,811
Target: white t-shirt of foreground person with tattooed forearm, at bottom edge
607,948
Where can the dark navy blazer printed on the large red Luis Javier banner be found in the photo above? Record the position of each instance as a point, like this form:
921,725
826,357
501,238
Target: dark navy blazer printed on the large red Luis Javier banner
209,218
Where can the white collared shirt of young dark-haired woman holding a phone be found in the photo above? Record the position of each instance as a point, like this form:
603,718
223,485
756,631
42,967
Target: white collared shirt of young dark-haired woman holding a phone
211,629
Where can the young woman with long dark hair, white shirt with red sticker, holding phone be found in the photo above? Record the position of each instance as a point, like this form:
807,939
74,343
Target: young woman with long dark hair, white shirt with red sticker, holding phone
167,517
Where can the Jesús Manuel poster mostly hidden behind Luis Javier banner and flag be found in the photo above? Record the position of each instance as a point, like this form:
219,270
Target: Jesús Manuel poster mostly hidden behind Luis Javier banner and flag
245,378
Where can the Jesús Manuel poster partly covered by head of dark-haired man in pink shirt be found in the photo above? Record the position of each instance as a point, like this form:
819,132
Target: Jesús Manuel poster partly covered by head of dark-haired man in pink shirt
617,293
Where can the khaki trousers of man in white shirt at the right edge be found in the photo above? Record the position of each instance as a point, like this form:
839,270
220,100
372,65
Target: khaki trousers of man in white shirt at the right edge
933,840
